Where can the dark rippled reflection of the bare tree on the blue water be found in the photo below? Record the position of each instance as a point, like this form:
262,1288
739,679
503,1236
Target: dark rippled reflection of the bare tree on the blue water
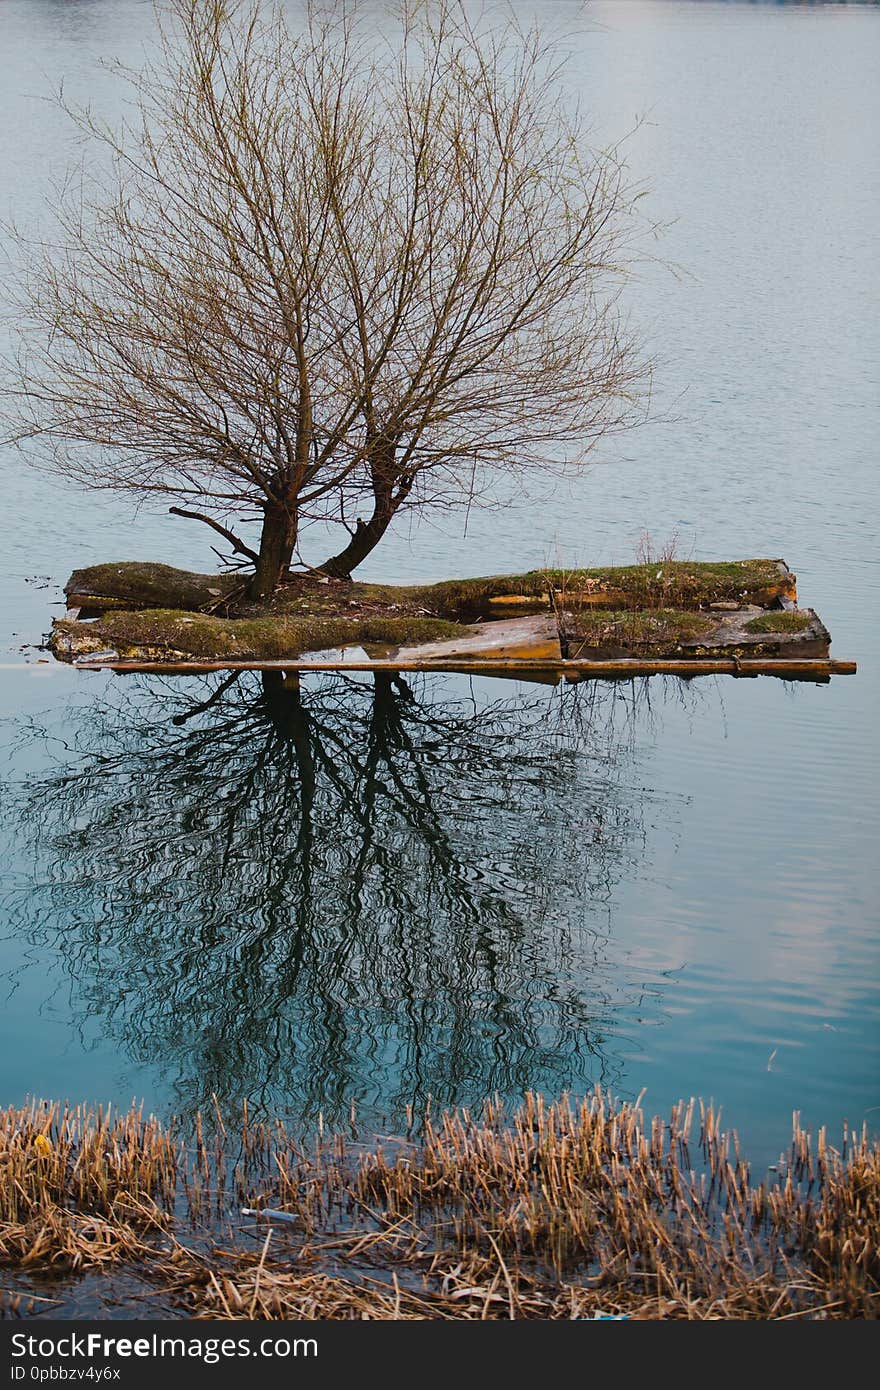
352,892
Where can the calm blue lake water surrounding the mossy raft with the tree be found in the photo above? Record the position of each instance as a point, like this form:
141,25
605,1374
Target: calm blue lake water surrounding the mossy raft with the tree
383,897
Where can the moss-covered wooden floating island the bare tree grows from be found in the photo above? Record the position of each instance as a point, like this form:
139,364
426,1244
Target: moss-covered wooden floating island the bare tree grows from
672,616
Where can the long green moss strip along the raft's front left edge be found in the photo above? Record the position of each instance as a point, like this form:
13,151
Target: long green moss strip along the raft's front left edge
197,635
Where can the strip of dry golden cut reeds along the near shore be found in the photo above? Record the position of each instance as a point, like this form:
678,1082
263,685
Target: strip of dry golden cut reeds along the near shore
558,1210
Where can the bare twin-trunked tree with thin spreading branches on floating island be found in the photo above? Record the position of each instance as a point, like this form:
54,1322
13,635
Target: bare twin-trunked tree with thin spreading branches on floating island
332,272
